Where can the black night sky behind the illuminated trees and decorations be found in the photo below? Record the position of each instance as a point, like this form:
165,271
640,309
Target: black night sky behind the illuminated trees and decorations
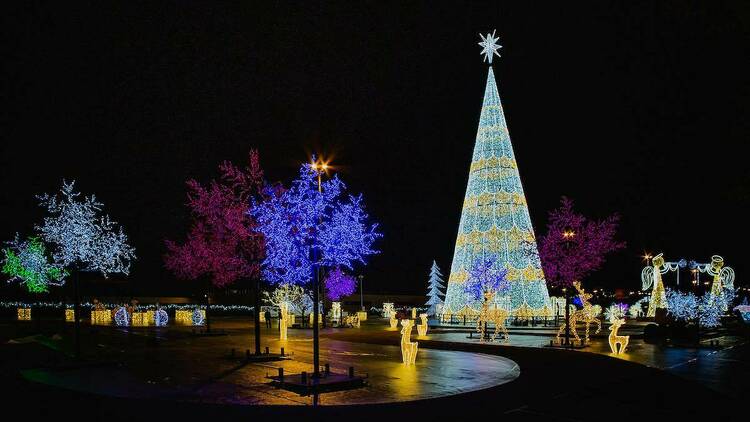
631,107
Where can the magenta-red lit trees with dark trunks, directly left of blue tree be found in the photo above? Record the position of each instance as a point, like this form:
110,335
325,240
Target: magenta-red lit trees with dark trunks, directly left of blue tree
222,243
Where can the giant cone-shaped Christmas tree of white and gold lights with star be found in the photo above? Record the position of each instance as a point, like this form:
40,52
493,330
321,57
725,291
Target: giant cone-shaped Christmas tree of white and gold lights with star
495,217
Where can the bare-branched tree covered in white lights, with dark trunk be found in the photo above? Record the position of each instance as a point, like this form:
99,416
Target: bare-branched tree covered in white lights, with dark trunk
83,239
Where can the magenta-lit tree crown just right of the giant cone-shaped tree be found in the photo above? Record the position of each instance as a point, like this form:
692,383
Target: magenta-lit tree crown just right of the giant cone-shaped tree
575,246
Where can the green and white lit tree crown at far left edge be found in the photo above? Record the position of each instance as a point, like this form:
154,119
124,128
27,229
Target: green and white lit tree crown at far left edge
27,262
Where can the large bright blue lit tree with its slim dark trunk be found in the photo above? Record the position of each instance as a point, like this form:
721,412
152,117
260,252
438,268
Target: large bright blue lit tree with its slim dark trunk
311,226
